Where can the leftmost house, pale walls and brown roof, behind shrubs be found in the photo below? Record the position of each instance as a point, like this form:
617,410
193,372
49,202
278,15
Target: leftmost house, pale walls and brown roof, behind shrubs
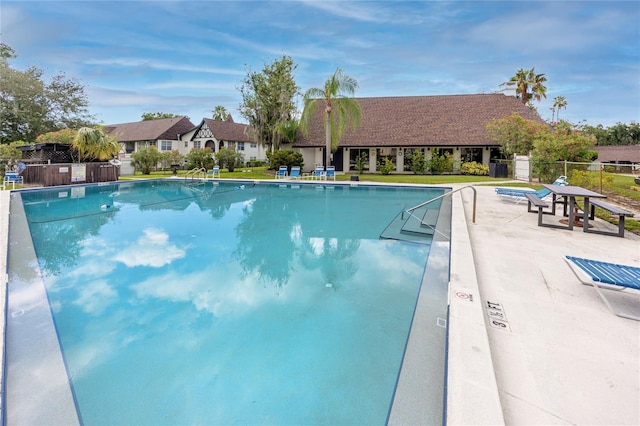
163,133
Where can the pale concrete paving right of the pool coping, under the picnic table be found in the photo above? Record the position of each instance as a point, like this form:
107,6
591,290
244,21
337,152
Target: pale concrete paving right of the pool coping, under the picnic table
559,355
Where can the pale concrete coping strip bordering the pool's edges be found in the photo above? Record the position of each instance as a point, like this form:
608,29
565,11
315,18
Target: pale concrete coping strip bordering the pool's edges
471,388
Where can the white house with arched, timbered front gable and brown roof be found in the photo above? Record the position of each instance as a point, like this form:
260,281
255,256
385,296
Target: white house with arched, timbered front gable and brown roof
217,134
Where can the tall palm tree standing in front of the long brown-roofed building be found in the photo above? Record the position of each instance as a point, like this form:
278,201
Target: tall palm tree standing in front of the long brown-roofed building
339,110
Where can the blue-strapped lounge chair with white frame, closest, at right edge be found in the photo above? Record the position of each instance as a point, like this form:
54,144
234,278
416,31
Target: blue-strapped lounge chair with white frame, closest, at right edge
606,276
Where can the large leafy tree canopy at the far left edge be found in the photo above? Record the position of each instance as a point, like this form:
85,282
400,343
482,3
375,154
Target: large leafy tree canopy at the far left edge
29,106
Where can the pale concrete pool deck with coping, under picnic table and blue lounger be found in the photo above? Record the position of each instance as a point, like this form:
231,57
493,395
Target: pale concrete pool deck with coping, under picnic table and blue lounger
560,357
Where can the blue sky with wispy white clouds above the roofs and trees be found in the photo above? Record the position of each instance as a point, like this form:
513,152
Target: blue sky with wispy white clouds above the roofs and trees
186,57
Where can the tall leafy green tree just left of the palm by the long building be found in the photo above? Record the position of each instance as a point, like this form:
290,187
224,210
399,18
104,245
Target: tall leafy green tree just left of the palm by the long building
268,101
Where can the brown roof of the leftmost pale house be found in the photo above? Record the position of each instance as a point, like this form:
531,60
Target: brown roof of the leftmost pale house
150,130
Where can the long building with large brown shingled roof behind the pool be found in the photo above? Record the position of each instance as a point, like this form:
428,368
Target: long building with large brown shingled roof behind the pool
394,127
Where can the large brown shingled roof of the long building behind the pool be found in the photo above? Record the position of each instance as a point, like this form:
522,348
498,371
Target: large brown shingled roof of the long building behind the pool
422,121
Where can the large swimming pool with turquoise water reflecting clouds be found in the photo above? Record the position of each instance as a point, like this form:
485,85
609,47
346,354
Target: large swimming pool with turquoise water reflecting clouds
215,303
